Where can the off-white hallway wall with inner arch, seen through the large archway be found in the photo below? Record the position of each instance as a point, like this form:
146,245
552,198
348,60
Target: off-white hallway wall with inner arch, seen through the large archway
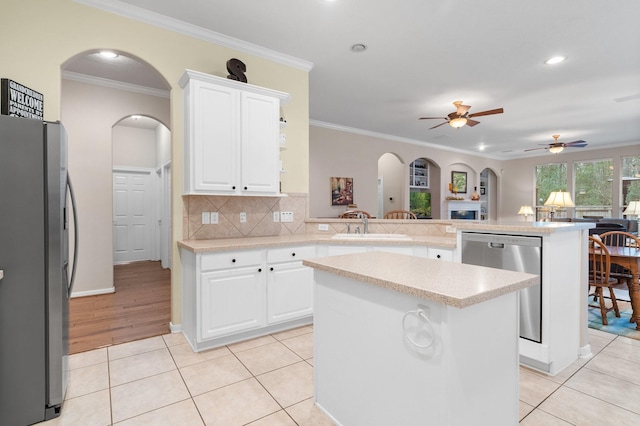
89,128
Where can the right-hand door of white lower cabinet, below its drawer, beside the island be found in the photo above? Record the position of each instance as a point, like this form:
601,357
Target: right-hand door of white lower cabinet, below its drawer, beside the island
289,292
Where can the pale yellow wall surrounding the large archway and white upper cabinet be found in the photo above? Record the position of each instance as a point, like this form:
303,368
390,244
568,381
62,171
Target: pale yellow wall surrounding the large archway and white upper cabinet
39,36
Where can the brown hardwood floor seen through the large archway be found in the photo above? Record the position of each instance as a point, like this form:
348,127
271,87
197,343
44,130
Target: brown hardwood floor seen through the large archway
139,308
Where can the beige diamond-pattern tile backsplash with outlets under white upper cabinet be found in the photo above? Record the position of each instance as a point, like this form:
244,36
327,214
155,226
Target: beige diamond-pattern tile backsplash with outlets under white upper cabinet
259,212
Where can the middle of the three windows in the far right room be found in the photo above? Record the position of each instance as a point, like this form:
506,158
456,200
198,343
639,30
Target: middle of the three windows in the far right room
593,188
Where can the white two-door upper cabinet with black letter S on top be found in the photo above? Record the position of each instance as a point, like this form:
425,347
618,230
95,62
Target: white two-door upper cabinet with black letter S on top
231,136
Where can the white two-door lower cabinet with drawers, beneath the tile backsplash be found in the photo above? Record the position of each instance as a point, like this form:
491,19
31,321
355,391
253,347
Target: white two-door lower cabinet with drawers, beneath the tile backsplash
236,295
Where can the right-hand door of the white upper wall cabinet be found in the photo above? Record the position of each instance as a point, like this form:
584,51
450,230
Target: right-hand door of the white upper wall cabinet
260,144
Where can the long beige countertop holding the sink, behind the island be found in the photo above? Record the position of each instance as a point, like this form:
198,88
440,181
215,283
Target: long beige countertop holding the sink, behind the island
225,244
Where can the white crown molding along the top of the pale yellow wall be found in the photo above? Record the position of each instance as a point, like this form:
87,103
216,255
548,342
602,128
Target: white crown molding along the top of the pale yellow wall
171,24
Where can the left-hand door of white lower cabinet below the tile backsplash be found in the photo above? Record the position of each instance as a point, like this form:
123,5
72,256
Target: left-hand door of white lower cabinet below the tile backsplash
231,301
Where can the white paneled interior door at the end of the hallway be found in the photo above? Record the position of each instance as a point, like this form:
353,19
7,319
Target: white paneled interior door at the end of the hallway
132,216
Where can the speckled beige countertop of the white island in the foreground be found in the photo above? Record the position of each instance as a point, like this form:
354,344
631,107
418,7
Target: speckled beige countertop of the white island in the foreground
426,278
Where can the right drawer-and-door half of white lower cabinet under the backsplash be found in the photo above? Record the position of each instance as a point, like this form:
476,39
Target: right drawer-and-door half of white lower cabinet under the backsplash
289,284
